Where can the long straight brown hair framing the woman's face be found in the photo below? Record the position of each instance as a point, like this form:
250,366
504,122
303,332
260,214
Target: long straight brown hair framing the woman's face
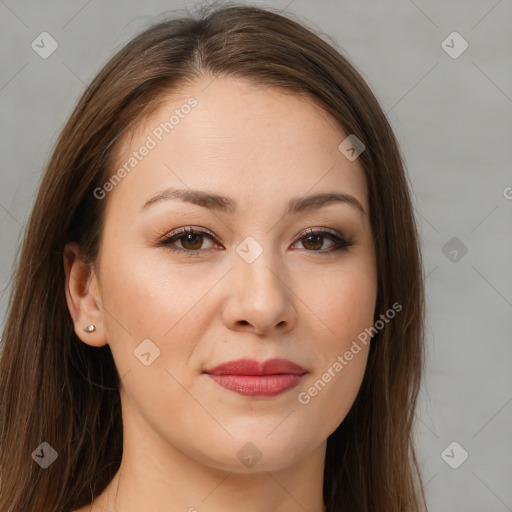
56,389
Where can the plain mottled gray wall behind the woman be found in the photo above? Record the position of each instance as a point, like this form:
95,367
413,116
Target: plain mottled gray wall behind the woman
453,119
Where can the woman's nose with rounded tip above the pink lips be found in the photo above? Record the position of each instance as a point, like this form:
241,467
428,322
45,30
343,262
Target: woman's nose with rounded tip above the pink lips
260,297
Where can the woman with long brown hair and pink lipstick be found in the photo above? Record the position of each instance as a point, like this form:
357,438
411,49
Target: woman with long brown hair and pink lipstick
219,293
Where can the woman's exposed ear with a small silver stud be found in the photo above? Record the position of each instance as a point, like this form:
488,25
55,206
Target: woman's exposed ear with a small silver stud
82,296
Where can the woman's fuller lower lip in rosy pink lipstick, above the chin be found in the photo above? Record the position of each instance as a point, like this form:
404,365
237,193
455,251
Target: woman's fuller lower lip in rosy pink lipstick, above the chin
261,385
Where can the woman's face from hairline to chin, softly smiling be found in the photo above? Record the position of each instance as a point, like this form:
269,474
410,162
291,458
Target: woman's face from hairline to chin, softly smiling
264,274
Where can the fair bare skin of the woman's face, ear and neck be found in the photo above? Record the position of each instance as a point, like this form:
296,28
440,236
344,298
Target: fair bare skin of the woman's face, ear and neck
297,300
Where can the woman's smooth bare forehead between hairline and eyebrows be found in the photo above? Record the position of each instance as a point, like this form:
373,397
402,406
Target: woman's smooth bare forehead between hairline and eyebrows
229,134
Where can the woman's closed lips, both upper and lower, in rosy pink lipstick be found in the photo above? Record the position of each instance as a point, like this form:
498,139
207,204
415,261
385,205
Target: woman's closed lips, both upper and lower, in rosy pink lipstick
250,377
